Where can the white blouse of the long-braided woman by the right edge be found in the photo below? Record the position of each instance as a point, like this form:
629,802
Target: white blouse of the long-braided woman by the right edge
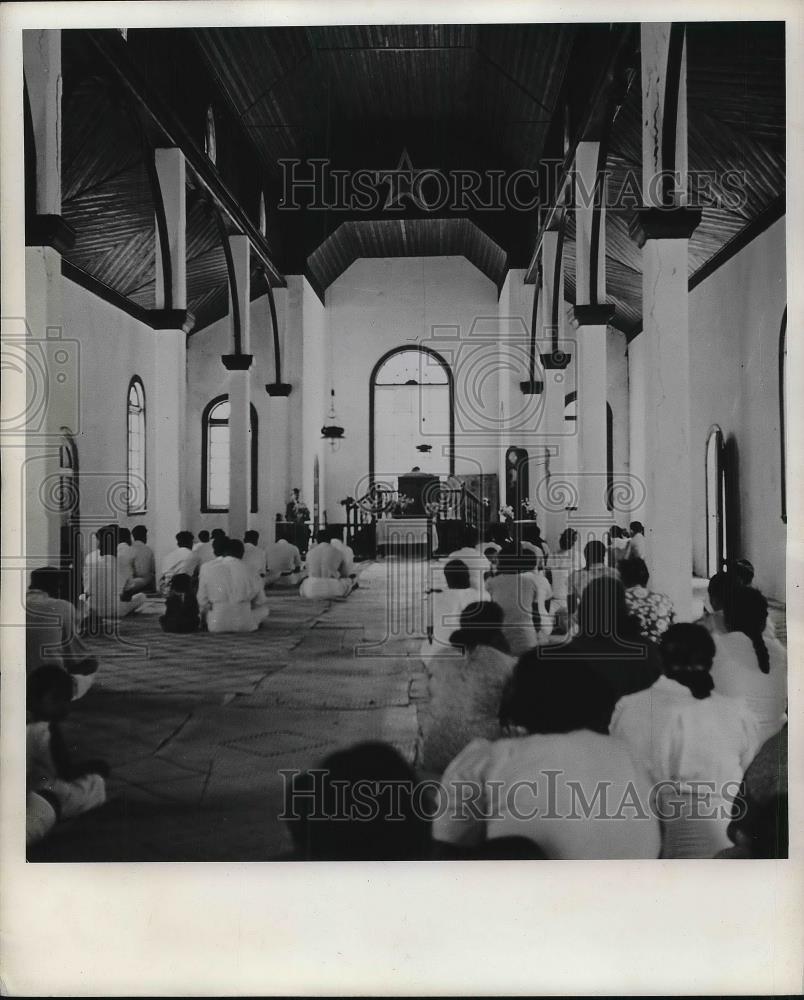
736,672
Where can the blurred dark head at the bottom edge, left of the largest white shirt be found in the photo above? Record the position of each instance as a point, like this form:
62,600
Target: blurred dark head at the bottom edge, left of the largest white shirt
360,804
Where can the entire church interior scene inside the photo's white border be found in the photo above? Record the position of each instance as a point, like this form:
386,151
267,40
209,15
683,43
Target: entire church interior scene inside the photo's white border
356,337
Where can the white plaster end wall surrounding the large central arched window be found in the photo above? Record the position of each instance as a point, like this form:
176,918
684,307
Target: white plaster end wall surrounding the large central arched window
377,305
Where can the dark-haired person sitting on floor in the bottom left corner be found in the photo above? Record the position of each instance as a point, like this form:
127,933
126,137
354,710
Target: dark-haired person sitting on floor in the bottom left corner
56,788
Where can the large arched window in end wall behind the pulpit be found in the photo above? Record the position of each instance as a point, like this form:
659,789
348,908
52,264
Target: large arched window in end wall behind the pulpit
411,414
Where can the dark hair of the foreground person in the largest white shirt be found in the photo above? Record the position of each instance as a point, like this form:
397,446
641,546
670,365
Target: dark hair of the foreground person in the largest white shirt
556,696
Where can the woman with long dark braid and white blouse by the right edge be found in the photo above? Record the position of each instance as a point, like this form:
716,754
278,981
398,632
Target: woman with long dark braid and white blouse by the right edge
749,664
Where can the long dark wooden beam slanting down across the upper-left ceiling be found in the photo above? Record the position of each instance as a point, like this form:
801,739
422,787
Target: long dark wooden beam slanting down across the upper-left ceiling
112,47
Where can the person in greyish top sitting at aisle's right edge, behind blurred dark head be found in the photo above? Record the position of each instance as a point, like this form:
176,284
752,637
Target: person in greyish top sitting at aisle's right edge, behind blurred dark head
465,691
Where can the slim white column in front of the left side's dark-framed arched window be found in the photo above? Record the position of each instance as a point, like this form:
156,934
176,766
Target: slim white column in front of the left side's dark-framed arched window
240,397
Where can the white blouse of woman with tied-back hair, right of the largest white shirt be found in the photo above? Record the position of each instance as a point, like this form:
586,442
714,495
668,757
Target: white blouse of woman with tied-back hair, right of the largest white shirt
680,738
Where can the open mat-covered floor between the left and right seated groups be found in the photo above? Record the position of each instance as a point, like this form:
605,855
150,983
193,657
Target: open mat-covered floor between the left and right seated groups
197,728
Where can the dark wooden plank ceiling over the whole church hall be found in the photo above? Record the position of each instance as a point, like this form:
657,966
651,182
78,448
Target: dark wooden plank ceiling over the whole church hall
457,96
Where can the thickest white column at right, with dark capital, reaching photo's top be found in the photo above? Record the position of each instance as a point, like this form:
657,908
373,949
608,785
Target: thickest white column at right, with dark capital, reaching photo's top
663,232
